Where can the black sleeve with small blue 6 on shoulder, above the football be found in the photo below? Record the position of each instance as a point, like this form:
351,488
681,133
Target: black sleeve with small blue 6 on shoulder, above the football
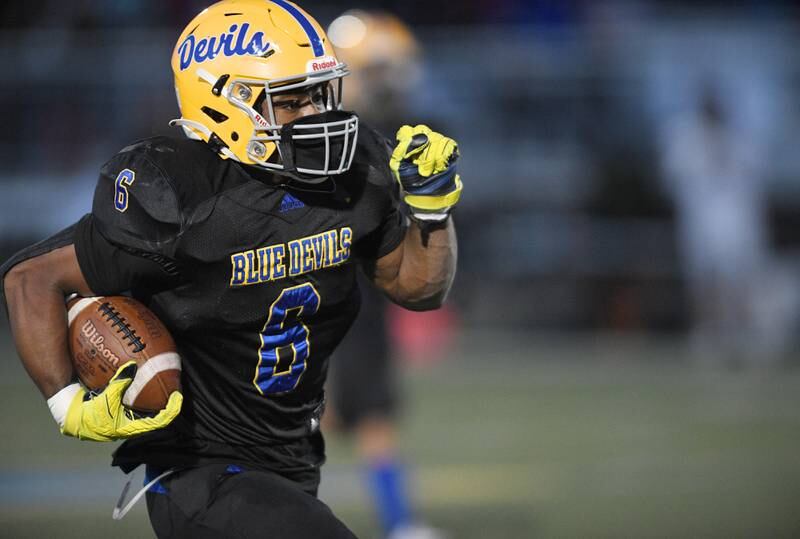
128,242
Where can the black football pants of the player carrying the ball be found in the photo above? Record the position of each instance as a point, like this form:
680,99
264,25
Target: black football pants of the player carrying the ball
224,501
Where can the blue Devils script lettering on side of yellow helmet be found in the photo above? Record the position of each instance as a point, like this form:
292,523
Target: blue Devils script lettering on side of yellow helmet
234,42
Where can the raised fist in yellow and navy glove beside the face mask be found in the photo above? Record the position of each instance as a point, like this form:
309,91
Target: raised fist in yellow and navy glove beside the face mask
424,162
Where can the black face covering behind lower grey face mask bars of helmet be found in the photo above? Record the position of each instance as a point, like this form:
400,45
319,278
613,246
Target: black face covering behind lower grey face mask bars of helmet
319,145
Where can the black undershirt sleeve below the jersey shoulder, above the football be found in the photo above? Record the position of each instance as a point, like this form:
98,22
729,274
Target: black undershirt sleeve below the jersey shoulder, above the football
110,268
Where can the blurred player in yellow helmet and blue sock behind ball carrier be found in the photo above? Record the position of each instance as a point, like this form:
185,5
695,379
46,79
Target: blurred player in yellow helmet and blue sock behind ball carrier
384,57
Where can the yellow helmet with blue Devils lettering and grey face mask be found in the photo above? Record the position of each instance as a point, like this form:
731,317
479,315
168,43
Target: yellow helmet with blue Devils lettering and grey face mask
229,62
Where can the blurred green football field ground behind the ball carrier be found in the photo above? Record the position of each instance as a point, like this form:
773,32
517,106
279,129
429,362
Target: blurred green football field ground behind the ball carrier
512,436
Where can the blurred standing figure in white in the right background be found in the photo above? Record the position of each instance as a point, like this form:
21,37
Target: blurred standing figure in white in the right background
714,173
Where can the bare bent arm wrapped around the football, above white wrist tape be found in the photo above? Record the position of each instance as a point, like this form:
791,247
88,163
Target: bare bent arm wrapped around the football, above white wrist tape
35,290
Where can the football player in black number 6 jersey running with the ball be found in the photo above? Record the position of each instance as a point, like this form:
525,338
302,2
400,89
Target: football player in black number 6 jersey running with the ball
244,238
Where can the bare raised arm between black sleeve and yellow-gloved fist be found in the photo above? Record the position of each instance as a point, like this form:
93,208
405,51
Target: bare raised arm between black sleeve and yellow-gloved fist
419,272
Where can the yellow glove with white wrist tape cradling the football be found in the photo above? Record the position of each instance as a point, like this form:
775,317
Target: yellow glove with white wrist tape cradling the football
103,417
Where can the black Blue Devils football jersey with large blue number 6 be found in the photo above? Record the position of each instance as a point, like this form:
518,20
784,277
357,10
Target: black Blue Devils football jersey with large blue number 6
254,278
